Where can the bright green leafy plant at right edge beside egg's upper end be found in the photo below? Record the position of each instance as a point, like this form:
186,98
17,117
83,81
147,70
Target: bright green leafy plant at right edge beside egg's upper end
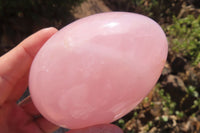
184,35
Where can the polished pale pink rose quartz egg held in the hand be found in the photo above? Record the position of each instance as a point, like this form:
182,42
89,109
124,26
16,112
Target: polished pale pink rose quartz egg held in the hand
97,69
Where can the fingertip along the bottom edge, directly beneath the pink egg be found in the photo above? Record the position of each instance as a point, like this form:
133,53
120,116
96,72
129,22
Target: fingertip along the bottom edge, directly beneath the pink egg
105,128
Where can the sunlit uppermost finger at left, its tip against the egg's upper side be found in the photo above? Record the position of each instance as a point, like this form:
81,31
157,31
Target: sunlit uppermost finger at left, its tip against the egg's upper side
17,62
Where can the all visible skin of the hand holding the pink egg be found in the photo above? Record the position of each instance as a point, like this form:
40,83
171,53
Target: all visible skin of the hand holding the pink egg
24,117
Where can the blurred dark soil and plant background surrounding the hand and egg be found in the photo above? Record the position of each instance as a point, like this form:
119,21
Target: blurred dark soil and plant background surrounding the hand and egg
173,105
